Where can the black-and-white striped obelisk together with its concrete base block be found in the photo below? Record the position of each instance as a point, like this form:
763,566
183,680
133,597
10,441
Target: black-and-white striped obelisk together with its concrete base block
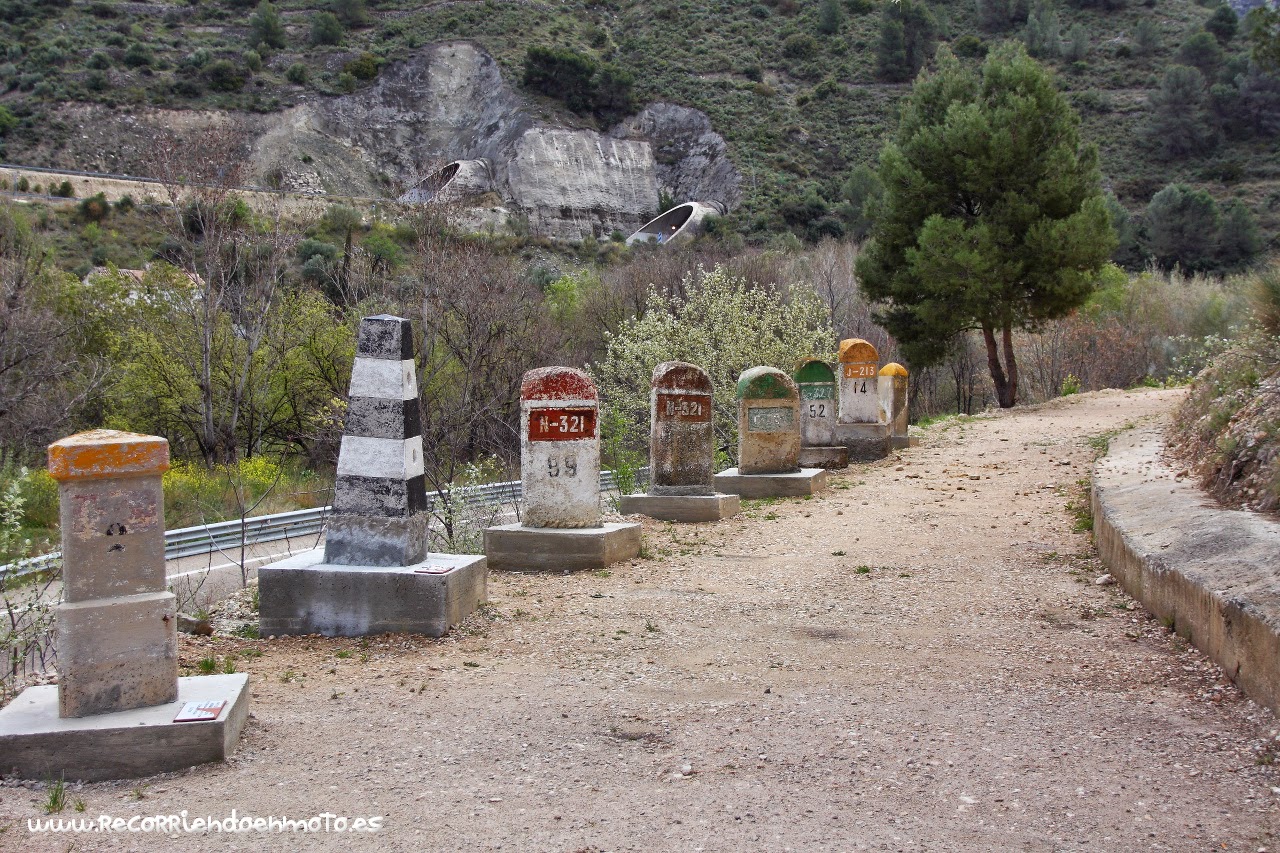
376,573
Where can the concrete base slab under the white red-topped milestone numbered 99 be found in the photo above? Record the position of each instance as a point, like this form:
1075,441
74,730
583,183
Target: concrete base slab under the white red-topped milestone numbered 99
515,548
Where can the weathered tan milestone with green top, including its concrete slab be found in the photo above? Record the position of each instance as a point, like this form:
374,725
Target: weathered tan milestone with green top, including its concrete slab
769,440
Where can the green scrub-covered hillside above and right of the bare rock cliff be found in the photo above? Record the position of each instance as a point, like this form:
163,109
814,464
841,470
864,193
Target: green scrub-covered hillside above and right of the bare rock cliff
804,94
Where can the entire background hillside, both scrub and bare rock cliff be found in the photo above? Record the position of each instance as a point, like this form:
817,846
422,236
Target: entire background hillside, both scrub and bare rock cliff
783,102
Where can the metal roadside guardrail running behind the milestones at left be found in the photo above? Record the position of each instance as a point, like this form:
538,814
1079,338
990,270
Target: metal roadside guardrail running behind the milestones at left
225,536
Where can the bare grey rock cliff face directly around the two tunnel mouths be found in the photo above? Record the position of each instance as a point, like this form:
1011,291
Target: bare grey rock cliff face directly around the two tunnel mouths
450,103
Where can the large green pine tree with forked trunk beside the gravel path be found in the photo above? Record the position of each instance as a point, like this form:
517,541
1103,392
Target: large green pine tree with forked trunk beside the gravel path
993,216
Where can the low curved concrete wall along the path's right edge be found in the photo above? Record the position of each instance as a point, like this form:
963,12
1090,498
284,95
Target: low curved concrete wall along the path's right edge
1206,572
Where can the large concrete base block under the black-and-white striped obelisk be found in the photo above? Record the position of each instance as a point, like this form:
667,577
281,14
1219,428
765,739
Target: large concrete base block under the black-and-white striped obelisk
304,595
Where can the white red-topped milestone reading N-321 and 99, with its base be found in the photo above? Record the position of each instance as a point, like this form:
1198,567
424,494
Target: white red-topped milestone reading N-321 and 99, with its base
560,467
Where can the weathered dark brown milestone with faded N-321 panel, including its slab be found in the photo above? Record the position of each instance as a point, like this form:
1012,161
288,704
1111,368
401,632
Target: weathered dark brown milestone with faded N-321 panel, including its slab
682,449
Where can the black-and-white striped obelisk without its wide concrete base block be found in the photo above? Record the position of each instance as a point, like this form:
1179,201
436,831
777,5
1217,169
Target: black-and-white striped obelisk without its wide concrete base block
380,498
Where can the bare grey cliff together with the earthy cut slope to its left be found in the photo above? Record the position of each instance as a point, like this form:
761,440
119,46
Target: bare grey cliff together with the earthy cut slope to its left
446,104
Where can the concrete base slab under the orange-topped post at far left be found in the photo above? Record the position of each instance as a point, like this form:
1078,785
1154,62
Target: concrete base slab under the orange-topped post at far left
36,743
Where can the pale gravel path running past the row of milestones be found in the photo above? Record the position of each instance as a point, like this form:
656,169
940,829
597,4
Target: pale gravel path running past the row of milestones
918,660
